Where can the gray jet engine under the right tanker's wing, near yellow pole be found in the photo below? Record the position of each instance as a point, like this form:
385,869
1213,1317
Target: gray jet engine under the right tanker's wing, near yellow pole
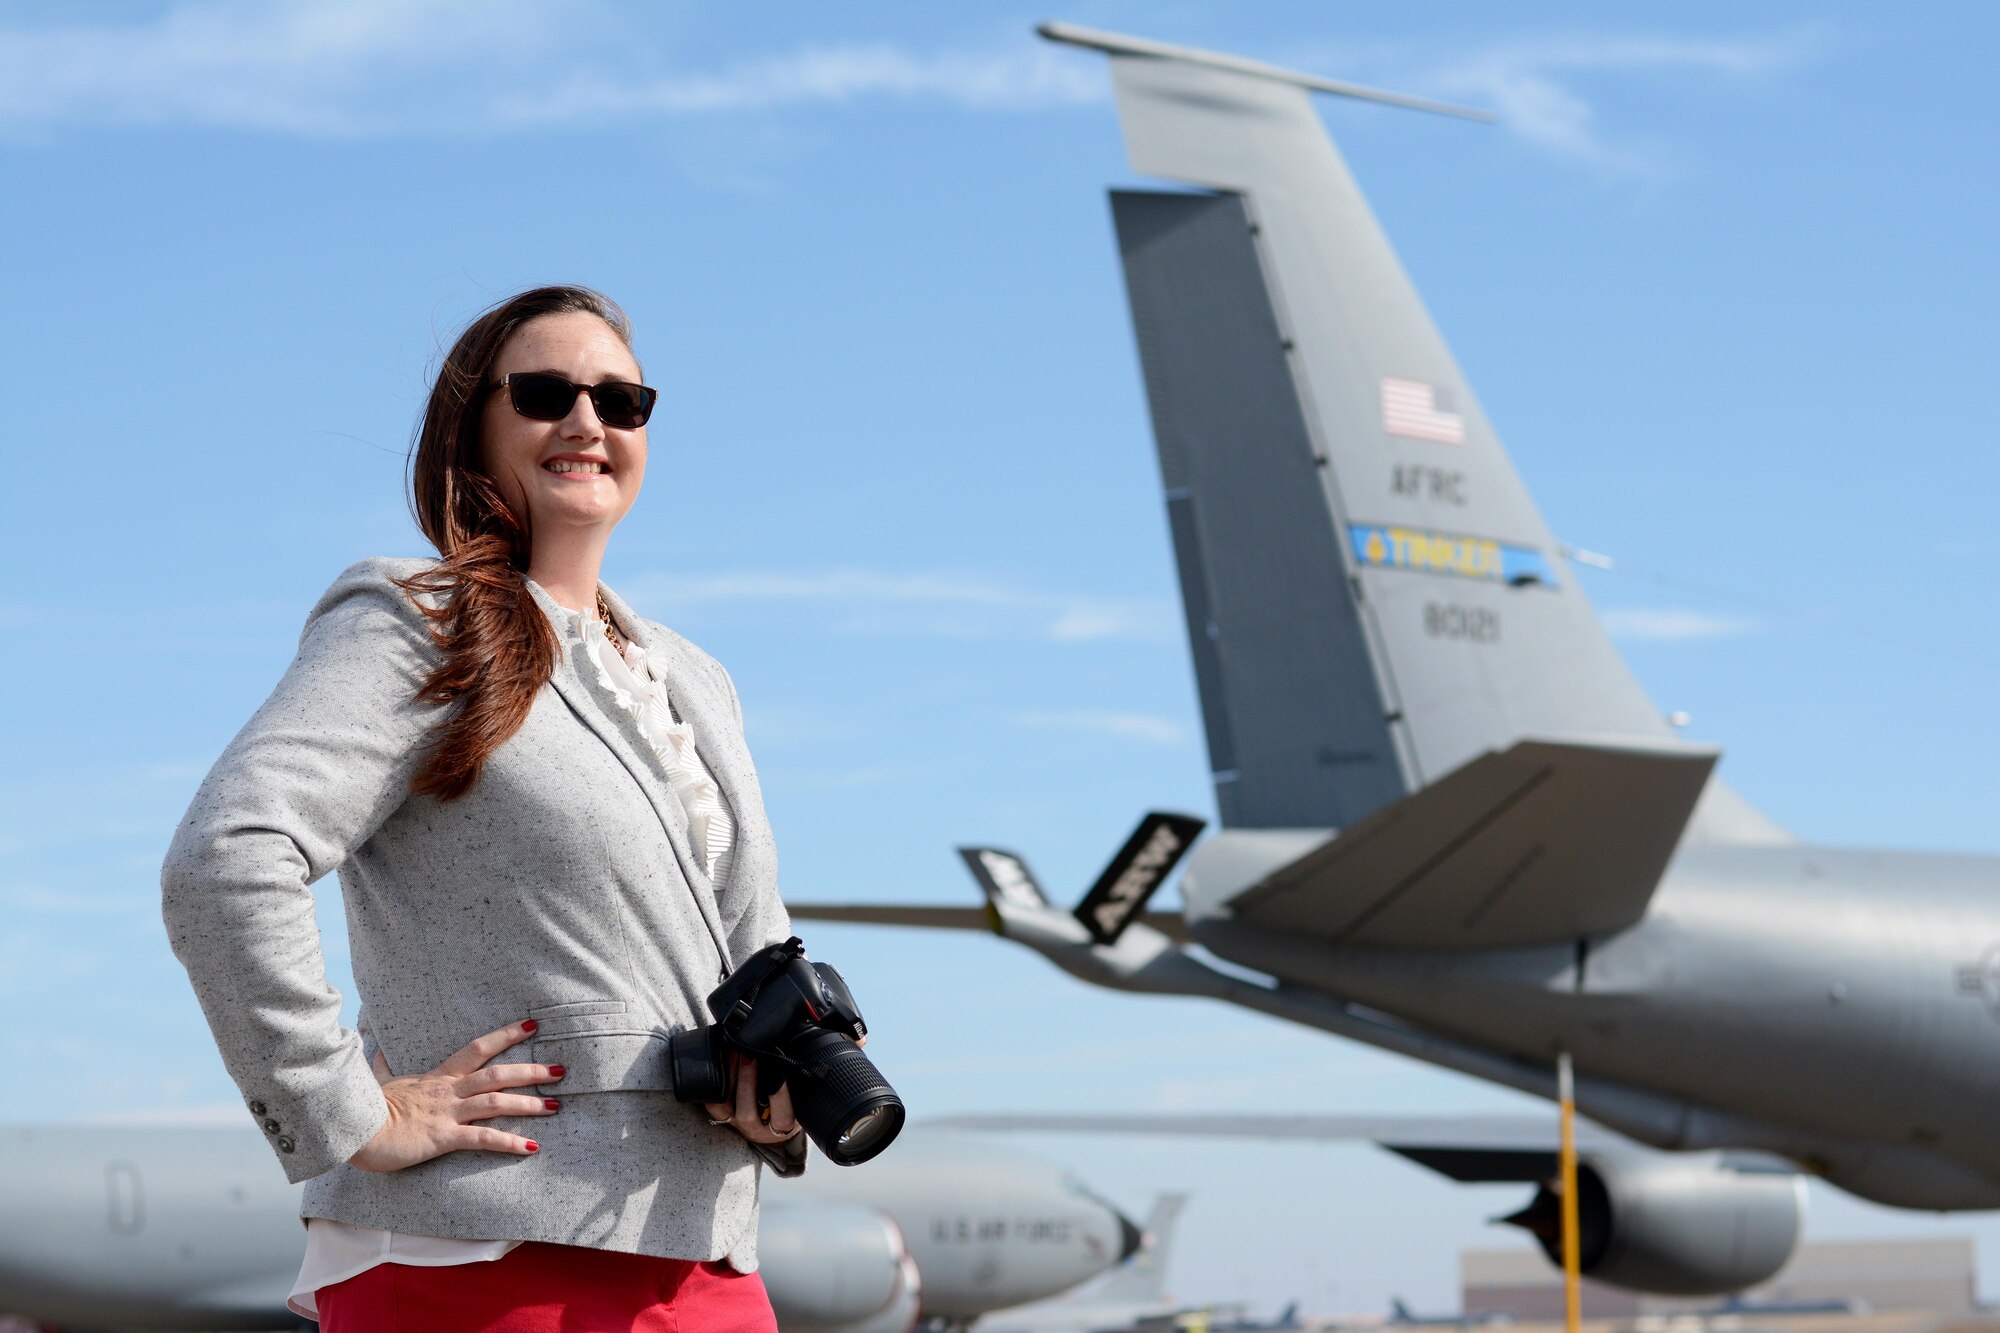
1675,1226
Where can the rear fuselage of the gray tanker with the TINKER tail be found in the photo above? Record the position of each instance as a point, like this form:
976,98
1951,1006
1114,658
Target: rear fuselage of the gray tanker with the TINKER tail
1841,1008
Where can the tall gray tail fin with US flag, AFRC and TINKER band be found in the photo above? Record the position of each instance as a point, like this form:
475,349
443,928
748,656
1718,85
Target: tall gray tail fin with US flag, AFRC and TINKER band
1371,593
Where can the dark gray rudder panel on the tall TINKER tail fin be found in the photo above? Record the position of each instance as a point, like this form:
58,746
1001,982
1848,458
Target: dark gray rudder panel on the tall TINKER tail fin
1291,702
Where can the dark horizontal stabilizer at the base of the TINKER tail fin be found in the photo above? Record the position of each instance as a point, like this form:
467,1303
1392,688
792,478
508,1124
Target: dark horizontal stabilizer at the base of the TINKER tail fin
1543,842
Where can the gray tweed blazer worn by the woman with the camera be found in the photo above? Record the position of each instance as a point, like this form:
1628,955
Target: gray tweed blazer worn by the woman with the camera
561,888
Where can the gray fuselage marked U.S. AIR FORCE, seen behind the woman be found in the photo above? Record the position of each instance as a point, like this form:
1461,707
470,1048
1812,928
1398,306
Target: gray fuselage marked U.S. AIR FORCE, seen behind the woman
195,1228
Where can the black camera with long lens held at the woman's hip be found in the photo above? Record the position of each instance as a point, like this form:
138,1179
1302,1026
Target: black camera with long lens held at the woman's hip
803,1028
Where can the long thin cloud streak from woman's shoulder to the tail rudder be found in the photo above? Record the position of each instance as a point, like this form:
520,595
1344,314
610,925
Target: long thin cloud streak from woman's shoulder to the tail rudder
929,605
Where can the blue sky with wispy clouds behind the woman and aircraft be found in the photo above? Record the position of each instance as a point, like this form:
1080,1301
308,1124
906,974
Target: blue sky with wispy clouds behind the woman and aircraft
1721,277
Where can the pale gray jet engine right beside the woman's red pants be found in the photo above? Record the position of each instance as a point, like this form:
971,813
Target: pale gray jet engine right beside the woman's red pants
837,1268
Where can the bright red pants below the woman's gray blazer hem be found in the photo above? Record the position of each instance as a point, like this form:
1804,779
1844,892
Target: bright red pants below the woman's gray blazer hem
551,1290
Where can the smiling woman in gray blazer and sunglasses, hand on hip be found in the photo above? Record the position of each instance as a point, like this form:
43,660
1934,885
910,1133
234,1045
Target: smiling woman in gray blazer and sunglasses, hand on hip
551,846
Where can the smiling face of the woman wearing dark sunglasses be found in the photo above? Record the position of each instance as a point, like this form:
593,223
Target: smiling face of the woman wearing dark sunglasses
573,473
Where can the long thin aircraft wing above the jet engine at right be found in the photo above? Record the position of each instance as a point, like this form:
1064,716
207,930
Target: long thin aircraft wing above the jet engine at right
1463,1148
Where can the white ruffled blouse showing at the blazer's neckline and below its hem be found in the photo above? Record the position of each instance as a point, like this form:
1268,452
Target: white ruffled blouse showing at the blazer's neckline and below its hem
637,686
